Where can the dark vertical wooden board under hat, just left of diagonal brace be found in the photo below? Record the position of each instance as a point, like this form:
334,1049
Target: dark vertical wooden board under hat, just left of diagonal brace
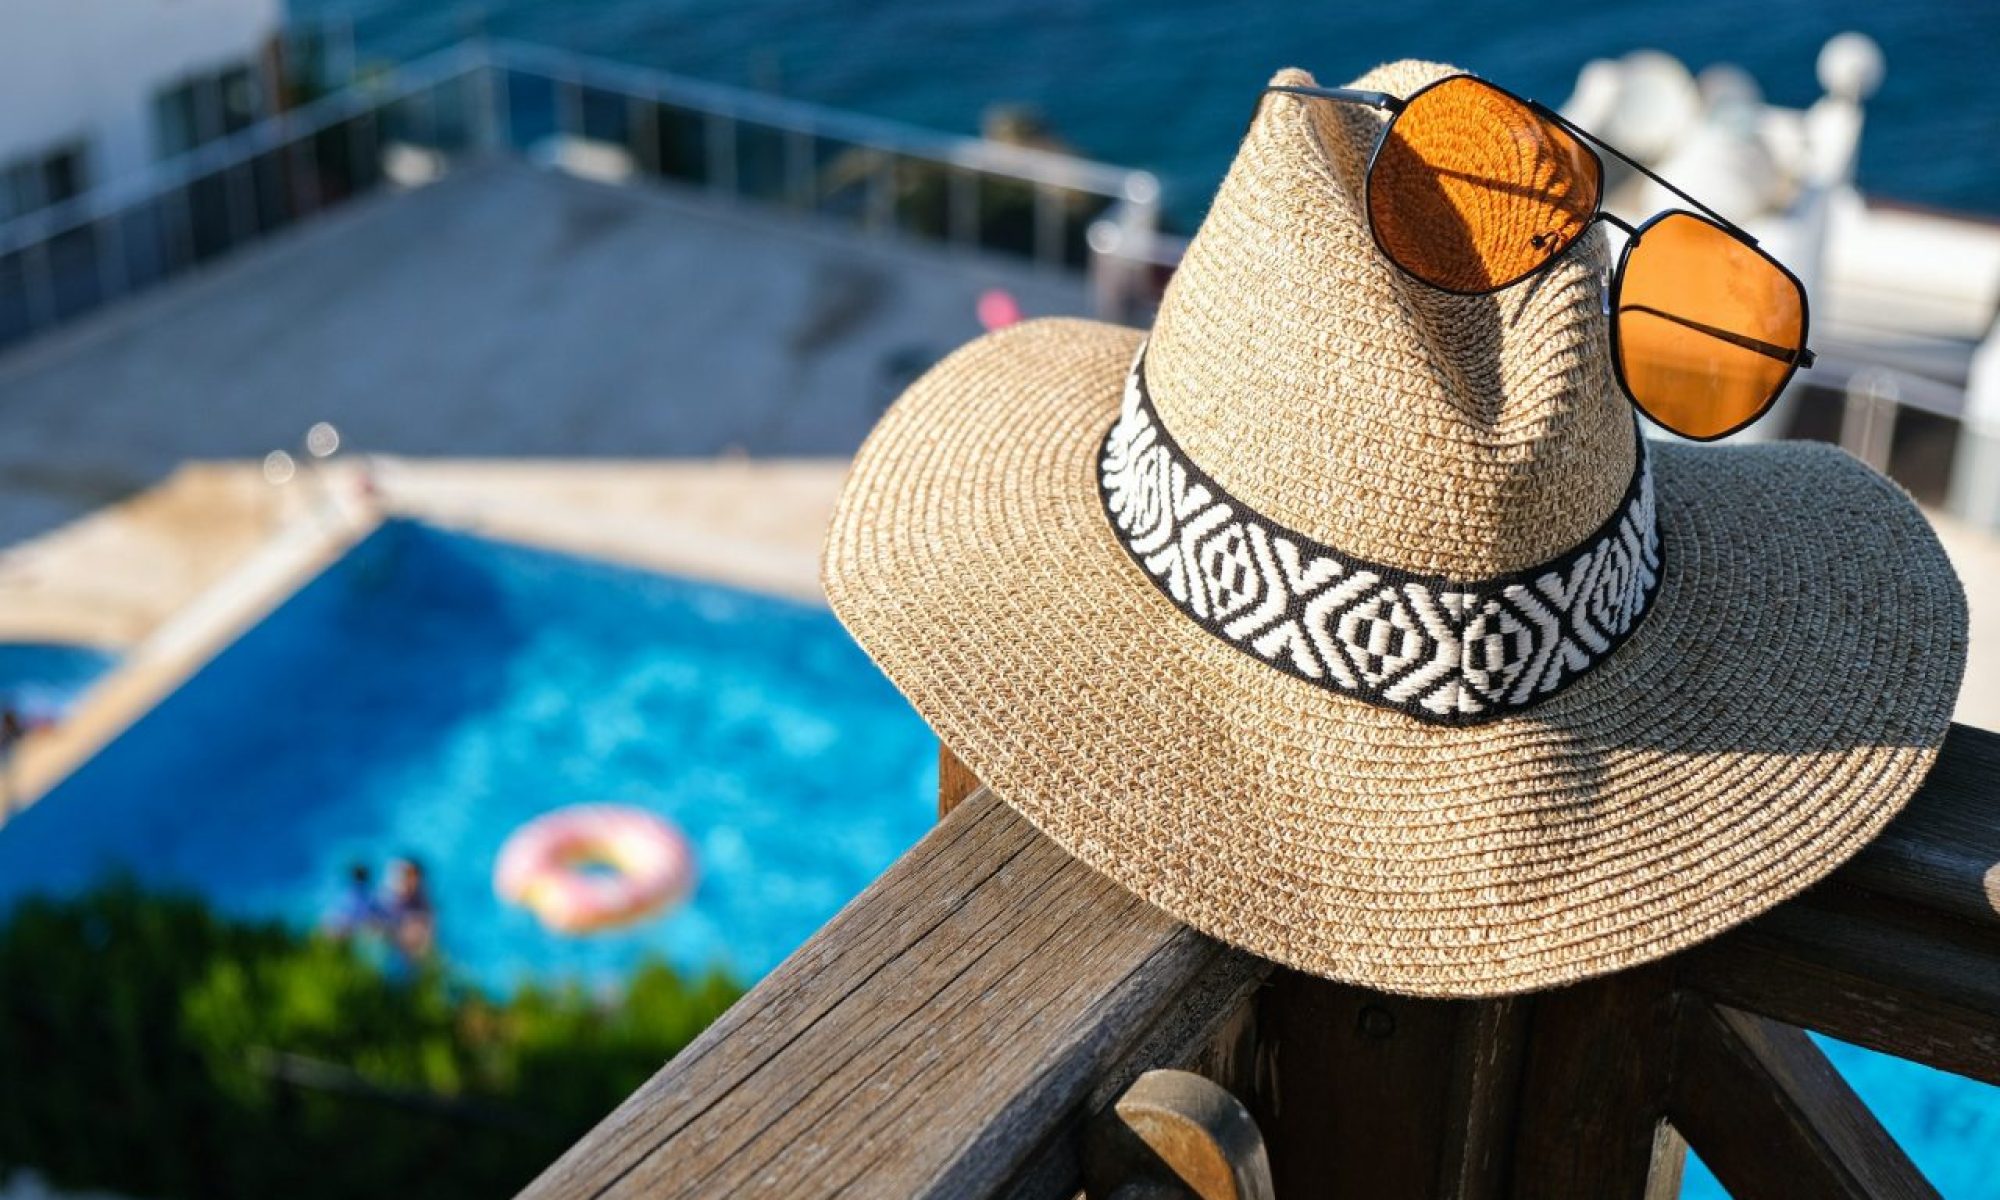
1595,1093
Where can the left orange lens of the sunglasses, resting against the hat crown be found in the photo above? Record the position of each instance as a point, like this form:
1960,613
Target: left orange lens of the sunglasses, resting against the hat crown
1473,191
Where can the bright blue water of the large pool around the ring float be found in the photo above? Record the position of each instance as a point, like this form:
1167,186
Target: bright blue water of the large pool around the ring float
433,691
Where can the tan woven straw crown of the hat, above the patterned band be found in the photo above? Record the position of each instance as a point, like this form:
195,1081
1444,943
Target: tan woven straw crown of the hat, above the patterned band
1331,393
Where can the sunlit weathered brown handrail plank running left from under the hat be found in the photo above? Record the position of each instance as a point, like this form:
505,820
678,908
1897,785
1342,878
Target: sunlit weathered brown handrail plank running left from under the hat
945,1035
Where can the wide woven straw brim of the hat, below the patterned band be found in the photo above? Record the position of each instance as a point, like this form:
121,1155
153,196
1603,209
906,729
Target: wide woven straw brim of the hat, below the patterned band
1773,713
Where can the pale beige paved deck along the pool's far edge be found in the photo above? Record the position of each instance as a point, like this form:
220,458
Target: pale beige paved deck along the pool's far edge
115,577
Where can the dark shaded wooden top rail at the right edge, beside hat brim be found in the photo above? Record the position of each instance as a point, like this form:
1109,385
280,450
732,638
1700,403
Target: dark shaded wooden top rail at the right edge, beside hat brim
1943,851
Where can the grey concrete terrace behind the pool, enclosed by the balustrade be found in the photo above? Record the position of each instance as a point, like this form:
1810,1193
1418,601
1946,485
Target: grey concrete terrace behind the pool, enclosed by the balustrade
501,313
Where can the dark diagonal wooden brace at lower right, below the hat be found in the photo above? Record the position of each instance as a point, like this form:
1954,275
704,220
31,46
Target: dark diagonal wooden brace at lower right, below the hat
1773,1119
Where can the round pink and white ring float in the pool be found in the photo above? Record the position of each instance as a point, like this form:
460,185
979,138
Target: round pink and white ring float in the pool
595,867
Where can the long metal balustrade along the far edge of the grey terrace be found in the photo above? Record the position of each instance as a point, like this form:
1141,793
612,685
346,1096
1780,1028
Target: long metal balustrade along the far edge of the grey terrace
573,113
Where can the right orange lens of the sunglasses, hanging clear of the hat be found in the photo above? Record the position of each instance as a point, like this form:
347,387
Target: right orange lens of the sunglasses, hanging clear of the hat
1709,329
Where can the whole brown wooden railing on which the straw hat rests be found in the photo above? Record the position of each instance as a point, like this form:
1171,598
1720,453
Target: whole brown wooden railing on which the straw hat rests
961,1025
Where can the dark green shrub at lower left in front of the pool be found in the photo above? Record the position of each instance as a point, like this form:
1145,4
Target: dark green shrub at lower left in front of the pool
157,1049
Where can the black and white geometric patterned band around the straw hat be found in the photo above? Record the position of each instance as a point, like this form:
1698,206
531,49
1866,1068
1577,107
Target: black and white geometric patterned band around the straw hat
1443,651
